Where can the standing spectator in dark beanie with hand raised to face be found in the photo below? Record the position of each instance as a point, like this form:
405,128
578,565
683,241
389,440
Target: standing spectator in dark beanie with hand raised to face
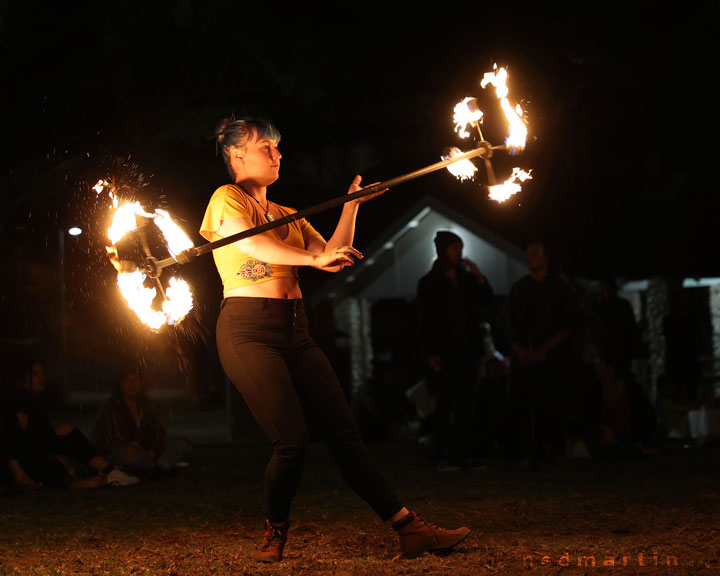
450,301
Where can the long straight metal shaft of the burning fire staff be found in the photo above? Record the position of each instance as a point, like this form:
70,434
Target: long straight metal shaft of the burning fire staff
154,267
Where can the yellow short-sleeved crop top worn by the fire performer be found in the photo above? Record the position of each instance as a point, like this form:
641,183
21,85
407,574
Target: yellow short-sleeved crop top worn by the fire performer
235,267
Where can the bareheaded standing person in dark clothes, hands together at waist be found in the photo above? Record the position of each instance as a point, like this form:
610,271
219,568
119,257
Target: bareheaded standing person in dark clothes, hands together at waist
538,317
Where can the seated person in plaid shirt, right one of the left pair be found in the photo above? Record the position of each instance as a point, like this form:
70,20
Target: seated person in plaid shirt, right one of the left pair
130,433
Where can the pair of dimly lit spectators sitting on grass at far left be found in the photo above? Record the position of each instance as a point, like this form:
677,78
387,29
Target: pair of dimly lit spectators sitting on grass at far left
40,447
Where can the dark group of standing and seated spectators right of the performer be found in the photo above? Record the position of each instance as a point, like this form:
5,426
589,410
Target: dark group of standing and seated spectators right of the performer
563,377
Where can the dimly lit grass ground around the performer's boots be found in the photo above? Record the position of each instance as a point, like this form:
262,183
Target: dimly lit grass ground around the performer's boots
654,516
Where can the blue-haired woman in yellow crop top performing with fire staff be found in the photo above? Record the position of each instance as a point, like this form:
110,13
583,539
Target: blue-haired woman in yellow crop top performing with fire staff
264,344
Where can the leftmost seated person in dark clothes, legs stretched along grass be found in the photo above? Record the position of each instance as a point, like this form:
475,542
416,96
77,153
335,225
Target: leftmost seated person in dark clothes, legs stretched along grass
36,453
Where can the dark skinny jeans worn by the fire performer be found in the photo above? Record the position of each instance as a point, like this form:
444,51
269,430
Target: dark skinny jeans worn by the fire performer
284,377
